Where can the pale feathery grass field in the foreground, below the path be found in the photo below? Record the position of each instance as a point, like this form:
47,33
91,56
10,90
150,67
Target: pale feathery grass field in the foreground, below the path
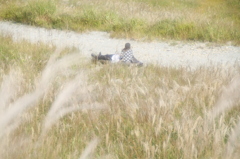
57,104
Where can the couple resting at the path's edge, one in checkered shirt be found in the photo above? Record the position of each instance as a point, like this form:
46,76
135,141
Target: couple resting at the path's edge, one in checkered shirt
125,57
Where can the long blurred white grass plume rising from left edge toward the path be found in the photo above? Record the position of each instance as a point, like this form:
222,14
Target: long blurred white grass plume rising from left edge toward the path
52,69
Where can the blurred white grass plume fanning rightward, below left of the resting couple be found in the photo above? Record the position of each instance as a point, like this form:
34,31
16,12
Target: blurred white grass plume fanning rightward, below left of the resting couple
64,102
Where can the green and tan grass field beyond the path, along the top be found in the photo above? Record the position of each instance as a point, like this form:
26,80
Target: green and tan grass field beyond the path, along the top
200,20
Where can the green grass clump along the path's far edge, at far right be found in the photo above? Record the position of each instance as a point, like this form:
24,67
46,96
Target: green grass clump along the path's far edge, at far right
190,31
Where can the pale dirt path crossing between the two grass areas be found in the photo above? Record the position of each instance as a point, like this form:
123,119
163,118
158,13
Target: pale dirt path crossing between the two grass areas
164,53
